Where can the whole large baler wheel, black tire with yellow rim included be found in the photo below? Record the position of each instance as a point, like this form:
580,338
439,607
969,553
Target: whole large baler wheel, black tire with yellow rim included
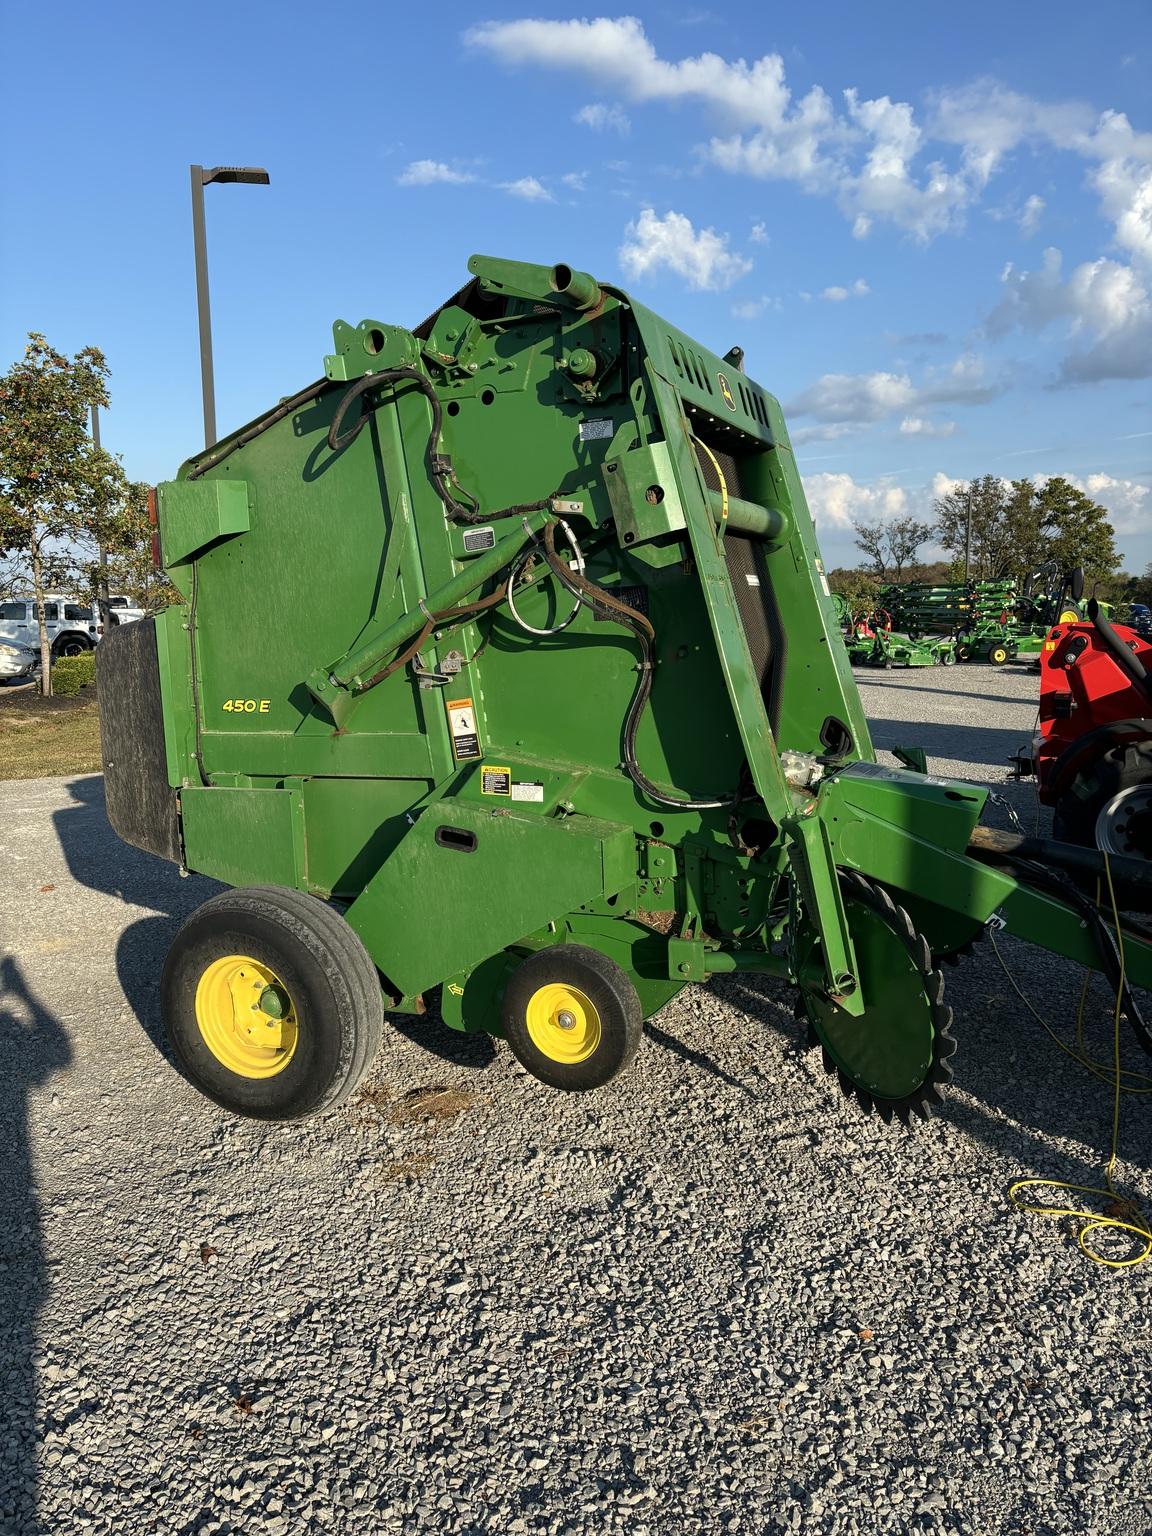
273,1005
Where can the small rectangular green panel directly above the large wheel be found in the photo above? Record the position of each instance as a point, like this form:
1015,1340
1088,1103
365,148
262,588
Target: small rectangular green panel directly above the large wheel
245,836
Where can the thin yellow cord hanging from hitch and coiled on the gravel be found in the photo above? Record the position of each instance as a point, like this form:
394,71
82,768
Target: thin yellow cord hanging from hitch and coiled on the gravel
1124,1082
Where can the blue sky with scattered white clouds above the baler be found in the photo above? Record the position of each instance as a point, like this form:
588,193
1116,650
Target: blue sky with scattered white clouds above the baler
930,227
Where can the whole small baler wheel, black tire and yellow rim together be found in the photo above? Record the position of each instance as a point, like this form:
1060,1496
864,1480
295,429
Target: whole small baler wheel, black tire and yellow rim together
572,1018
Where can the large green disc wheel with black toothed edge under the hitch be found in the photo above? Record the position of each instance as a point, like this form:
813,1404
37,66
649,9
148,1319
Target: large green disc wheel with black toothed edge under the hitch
895,1058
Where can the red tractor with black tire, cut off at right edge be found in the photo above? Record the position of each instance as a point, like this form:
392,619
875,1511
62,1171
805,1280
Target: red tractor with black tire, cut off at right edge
1093,755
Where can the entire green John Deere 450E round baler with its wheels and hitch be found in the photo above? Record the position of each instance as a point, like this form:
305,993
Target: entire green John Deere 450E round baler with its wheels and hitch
506,667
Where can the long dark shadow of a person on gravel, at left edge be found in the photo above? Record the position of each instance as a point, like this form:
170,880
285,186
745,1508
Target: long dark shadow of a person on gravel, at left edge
33,1047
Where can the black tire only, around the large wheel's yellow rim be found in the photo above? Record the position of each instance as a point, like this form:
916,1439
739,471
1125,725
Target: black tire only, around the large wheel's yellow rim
333,985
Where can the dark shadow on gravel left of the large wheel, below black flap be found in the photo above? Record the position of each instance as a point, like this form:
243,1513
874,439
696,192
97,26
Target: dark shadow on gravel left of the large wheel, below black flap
101,861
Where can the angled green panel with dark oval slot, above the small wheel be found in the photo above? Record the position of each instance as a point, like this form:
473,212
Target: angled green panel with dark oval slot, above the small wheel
468,882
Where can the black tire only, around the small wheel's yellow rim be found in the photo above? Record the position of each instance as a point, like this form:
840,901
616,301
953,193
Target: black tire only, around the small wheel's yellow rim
620,1019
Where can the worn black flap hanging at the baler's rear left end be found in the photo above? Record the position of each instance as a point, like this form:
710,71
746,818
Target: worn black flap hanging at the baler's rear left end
142,806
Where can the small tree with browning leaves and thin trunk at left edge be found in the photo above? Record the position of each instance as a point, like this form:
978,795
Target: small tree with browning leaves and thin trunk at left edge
50,471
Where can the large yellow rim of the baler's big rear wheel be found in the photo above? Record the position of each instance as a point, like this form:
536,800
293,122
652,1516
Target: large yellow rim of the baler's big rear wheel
247,1016
